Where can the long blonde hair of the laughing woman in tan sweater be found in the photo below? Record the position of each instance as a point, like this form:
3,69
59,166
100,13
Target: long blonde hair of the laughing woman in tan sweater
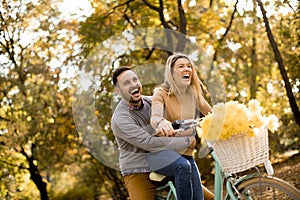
171,85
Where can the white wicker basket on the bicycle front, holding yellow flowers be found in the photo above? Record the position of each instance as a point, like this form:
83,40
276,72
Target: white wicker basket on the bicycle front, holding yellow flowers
242,152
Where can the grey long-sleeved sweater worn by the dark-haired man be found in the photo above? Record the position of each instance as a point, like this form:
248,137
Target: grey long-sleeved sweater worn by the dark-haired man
132,131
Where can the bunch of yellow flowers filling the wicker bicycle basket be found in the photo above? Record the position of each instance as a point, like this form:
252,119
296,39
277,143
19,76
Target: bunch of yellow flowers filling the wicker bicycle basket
232,118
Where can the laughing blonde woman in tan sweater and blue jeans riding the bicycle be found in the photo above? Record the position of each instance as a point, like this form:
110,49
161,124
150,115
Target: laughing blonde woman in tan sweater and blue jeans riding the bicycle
178,98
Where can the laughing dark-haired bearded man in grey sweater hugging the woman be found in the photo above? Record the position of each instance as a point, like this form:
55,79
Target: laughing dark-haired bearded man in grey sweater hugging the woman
132,130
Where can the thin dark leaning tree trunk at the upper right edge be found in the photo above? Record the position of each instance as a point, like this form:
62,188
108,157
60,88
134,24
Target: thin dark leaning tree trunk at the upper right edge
279,60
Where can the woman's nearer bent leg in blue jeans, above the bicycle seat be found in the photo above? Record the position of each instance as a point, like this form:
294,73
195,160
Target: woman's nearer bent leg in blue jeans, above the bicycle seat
179,168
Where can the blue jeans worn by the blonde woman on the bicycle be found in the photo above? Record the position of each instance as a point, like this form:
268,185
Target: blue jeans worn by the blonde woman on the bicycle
182,168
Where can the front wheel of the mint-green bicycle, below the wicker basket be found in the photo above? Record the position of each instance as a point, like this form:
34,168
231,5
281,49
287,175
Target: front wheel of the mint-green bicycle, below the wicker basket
267,188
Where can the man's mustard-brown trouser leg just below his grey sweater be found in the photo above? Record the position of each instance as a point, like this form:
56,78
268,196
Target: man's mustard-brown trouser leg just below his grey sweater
139,186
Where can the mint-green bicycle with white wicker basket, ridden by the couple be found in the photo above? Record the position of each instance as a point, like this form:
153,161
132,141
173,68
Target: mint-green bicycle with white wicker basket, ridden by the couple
247,185
